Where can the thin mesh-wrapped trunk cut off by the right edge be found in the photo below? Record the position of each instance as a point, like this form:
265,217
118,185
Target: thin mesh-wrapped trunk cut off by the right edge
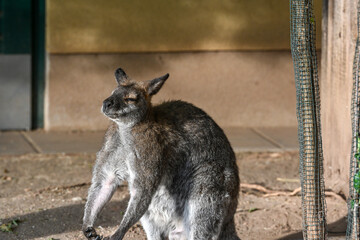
352,231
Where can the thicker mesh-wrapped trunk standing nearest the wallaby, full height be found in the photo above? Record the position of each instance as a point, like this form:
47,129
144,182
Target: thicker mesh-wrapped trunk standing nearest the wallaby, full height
308,114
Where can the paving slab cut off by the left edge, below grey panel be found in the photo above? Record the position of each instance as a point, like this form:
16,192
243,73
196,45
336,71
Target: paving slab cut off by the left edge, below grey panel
14,143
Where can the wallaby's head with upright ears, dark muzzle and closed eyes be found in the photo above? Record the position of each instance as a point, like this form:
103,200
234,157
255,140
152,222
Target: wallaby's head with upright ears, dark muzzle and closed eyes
130,102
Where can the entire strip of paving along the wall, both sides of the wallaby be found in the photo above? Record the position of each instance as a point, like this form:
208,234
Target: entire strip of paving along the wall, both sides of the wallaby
242,140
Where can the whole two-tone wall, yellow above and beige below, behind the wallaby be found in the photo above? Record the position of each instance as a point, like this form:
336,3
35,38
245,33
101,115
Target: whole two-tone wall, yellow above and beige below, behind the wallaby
230,58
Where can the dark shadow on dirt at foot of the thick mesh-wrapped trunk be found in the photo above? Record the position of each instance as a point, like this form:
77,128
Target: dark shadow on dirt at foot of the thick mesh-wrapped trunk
335,229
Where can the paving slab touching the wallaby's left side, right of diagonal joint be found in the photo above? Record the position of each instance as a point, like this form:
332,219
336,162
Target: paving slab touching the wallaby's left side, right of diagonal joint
67,142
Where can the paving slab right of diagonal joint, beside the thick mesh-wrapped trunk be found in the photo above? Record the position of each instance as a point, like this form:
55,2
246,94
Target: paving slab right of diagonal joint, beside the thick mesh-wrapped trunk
285,137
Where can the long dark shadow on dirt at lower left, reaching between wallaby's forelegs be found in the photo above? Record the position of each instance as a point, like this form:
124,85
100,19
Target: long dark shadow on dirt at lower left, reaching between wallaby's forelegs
61,220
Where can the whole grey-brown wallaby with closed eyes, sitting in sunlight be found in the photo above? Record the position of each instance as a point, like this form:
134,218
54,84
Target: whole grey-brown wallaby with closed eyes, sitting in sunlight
179,165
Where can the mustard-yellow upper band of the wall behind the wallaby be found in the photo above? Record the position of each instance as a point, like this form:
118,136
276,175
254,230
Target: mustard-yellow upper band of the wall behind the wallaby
94,26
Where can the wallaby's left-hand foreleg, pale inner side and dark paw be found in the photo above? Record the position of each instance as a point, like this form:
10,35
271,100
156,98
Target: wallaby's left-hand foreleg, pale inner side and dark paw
102,188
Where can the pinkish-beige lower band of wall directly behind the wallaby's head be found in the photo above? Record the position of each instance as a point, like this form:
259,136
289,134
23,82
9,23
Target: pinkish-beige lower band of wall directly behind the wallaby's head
236,88
